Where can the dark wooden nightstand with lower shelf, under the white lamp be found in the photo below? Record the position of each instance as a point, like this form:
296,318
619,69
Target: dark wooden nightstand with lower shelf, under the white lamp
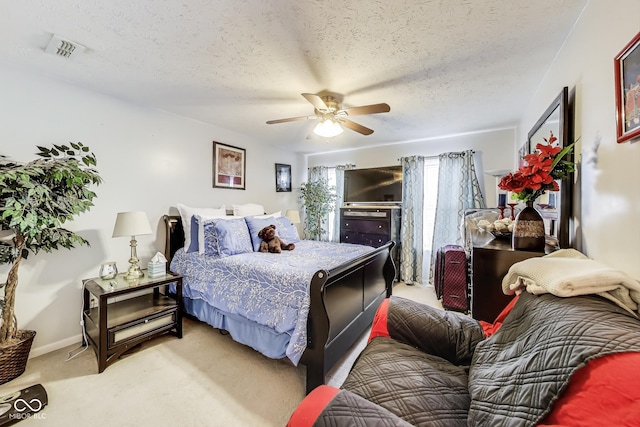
120,314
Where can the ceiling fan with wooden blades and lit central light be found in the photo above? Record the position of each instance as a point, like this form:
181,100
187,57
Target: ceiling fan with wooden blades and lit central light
331,117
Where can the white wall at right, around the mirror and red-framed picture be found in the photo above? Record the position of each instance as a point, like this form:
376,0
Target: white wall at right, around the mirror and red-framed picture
609,175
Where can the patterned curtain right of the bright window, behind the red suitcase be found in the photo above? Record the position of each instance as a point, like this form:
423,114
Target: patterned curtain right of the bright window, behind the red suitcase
458,190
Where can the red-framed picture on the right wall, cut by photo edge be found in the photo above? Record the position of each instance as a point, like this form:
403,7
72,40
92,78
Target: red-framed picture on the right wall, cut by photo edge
627,75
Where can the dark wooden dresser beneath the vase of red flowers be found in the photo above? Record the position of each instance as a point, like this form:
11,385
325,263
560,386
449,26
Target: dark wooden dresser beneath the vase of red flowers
490,262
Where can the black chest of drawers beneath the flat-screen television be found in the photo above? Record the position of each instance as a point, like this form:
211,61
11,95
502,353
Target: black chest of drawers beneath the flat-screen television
372,226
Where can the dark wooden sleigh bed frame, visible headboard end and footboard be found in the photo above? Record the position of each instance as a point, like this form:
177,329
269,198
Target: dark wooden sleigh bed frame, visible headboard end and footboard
343,302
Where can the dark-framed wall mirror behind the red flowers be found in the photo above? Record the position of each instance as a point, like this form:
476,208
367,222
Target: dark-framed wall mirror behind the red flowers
555,206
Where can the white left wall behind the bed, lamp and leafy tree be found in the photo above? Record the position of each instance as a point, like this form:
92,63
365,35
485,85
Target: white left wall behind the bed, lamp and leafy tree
150,160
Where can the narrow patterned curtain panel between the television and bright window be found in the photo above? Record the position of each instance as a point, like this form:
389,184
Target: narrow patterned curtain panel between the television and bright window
411,227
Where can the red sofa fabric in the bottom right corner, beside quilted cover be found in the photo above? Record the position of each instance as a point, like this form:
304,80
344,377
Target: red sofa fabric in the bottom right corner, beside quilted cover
605,392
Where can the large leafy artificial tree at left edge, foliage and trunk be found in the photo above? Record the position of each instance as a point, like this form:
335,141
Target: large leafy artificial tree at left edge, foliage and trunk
36,199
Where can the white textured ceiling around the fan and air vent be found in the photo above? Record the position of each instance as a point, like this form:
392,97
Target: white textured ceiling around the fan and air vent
444,66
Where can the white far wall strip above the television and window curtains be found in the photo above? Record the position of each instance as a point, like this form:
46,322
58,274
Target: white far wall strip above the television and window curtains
494,151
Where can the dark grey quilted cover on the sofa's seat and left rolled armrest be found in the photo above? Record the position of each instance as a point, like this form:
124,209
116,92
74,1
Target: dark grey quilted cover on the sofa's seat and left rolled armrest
420,374
